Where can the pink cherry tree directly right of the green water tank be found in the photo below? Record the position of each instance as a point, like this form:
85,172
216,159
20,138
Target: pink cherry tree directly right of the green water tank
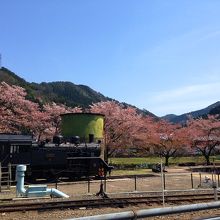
120,125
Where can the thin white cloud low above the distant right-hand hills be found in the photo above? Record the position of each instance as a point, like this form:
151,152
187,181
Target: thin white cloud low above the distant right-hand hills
180,100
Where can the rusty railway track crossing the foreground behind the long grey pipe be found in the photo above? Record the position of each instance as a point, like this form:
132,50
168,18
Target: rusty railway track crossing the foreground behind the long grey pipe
97,203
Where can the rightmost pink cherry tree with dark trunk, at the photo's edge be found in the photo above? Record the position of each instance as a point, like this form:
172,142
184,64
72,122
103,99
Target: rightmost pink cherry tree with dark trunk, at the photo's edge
204,135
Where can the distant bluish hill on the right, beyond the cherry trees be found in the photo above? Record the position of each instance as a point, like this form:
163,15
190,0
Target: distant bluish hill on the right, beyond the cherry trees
211,109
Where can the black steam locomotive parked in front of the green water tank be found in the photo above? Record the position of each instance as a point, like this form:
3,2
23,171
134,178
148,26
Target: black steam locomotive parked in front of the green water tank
71,157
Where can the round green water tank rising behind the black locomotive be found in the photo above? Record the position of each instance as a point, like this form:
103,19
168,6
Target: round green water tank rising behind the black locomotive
88,126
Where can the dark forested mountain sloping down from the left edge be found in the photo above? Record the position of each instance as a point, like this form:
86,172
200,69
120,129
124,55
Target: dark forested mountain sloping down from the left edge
66,93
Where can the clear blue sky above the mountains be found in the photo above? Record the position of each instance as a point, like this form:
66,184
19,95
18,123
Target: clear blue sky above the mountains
161,55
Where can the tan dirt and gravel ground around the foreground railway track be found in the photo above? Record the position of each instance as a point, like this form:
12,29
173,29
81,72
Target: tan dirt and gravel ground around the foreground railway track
175,179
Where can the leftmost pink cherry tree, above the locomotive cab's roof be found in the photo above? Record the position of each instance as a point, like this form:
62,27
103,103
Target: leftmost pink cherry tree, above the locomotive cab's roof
16,113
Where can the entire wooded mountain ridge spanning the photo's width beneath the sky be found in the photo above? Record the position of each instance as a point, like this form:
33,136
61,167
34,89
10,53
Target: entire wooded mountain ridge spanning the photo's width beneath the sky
70,94
